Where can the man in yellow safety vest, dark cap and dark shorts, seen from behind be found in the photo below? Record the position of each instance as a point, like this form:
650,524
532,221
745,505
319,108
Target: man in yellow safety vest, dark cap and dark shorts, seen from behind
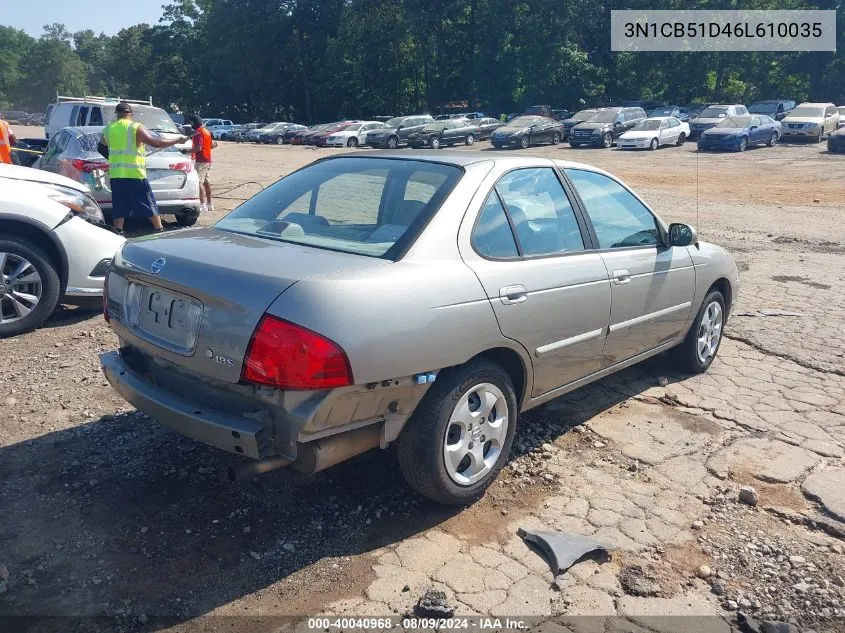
131,192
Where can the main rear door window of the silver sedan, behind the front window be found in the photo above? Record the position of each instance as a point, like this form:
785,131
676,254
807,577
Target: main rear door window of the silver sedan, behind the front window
542,216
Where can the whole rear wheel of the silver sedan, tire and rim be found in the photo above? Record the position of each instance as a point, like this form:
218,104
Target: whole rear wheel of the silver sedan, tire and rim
459,437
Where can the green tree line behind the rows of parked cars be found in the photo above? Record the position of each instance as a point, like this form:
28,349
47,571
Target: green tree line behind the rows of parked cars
313,60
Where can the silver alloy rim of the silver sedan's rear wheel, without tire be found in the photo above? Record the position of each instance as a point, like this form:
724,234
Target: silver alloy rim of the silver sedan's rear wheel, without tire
476,434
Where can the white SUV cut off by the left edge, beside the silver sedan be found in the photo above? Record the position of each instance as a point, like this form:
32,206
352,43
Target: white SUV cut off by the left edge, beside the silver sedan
54,247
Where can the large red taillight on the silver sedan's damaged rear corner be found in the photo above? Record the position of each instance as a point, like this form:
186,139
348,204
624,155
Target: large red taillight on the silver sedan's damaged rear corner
288,356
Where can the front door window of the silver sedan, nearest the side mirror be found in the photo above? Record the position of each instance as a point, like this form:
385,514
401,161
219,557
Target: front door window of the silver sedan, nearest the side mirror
619,219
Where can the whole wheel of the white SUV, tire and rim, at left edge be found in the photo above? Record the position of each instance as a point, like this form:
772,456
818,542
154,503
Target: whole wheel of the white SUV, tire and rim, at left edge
29,286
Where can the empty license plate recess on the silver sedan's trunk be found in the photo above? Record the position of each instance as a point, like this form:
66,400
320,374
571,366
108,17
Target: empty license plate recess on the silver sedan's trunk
167,320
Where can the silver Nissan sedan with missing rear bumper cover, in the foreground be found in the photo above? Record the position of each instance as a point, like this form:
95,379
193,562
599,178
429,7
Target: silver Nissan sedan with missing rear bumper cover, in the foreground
424,300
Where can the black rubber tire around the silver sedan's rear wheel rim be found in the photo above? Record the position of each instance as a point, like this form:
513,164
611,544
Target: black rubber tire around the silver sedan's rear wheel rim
419,447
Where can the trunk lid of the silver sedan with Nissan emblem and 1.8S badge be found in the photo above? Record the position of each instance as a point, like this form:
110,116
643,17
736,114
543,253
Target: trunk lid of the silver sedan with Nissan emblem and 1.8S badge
195,297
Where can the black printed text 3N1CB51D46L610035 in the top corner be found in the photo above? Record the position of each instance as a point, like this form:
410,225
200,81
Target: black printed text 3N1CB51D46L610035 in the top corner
717,30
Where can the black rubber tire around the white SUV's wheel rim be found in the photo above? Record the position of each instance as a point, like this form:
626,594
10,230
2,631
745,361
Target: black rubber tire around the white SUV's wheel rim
50,285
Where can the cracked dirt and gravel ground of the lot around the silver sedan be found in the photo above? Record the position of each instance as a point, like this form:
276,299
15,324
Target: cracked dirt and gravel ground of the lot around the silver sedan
103,513
